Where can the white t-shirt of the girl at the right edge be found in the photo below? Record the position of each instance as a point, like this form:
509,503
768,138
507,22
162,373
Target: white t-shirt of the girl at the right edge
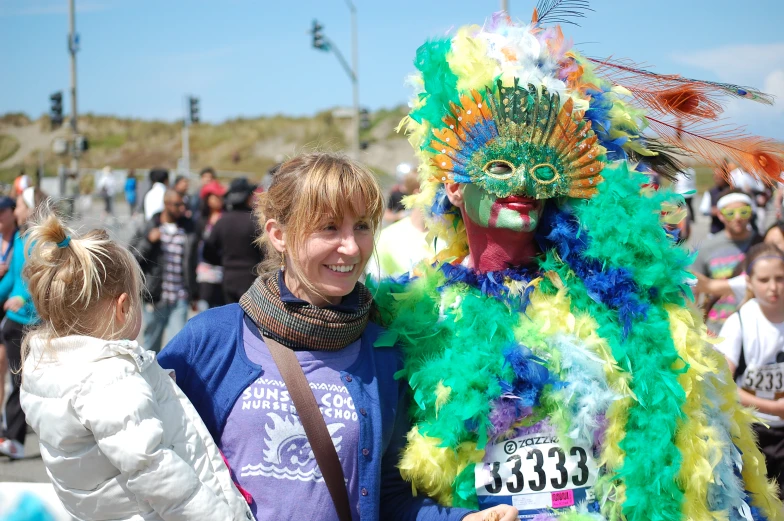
761,340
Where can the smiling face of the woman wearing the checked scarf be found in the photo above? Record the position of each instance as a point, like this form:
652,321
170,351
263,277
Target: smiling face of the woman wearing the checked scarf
332,259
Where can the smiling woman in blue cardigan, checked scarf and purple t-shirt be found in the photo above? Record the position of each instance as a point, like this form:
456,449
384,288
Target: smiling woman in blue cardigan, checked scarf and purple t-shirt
319,218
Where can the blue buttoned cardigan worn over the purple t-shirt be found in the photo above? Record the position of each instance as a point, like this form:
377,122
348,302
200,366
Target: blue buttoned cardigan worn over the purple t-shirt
208,357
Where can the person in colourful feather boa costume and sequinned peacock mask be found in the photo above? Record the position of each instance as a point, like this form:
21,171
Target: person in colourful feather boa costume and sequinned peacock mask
556,360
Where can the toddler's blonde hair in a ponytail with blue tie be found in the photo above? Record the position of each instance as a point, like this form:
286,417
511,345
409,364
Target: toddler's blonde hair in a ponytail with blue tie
74,280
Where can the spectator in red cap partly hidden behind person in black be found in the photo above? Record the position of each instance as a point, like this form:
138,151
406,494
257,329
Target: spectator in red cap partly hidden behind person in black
209,276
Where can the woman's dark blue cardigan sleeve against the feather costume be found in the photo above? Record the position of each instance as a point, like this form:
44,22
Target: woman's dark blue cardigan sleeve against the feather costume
397,501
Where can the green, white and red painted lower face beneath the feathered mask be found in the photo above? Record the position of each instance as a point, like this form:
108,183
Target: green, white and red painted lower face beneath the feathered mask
515,212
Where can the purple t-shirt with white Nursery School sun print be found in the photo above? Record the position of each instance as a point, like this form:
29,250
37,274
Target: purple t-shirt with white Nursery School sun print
266,444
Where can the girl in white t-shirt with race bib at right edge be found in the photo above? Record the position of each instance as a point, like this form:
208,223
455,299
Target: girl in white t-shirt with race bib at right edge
754,347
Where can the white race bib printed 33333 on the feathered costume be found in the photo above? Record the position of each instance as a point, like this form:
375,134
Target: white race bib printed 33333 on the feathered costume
534,473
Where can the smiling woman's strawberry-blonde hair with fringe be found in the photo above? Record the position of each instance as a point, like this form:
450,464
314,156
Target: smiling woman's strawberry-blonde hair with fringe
309,191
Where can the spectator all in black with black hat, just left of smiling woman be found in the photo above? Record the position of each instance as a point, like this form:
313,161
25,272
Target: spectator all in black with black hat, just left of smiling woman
232,241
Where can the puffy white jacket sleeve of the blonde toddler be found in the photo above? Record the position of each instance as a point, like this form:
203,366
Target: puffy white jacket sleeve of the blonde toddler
121,414
